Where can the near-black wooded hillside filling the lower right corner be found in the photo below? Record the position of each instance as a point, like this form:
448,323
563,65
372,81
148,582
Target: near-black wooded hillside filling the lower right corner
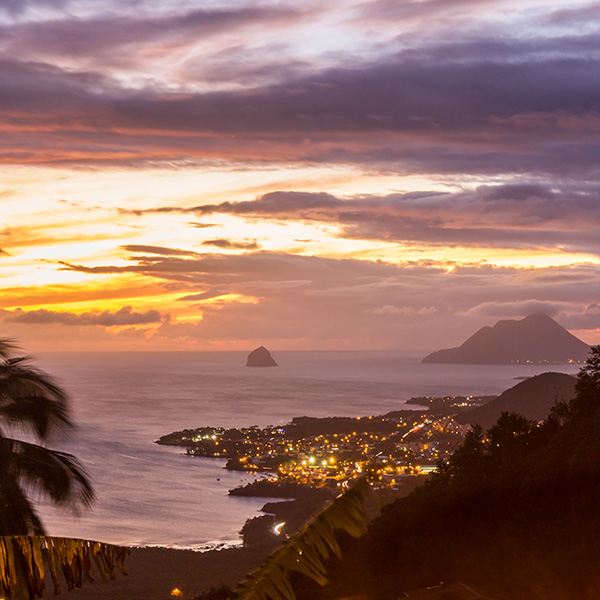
515,511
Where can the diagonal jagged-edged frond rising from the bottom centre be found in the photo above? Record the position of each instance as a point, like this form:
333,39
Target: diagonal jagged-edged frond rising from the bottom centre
308,550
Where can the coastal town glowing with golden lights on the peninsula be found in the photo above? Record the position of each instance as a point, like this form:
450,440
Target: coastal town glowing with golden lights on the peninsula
330,451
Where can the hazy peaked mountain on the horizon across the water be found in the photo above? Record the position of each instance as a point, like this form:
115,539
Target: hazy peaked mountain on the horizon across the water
536,338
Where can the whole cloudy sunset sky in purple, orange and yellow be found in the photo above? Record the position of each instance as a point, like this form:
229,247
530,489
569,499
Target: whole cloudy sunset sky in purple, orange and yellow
350,174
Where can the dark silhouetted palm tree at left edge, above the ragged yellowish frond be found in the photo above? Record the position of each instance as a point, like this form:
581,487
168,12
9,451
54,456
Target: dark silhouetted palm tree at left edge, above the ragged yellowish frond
31,403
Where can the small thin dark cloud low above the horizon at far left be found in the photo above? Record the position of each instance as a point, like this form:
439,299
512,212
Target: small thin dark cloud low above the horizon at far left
124,316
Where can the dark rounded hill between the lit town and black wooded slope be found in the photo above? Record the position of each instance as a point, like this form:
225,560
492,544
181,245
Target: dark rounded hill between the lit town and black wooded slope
532,398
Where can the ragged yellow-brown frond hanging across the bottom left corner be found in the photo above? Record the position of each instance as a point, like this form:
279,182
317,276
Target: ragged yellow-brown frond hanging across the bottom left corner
28,562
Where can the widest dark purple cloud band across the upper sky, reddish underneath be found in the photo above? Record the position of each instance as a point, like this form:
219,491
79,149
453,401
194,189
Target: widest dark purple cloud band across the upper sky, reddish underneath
482,107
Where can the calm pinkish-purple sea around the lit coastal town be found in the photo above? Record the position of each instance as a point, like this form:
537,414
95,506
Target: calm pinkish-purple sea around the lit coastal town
151,495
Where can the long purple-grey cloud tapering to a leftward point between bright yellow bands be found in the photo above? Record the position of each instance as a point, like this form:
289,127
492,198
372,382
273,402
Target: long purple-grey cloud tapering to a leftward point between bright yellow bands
515,215
